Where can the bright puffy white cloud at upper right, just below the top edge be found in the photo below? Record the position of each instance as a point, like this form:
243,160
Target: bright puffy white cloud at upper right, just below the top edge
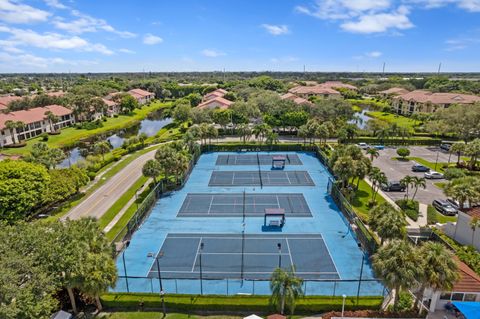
381,22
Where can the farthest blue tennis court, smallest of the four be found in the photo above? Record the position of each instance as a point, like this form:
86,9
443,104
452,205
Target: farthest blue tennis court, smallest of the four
250,159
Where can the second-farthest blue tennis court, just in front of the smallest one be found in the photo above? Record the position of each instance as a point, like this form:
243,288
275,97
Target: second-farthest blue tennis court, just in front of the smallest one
260,178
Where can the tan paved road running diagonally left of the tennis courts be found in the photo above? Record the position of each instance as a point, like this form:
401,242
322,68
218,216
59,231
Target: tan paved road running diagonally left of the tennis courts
103,198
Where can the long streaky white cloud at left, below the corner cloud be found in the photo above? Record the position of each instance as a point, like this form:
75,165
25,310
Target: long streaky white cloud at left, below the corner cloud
25,37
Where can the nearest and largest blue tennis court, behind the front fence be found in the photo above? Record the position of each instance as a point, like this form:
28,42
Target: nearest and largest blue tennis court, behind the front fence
252,256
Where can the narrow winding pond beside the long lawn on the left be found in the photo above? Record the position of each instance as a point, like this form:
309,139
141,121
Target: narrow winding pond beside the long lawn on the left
150,126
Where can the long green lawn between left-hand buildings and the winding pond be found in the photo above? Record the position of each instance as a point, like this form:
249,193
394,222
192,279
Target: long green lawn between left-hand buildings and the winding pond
70,135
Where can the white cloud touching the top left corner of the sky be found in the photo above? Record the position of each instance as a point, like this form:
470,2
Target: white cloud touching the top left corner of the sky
14,12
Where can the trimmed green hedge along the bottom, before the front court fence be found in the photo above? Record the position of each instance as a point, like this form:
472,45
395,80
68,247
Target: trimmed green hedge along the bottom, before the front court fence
221,303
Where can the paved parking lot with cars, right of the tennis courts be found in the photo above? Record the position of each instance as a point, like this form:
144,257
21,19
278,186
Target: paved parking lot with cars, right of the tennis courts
396,170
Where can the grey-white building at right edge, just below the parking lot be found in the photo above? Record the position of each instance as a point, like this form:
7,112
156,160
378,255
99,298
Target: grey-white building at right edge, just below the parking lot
462,231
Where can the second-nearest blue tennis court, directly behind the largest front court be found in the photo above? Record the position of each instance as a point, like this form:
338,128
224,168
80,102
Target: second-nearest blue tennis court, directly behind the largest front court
232,205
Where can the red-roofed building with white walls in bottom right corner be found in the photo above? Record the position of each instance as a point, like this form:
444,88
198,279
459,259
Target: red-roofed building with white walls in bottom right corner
467,288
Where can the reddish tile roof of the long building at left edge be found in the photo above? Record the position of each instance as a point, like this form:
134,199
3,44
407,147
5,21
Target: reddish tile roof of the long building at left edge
33,115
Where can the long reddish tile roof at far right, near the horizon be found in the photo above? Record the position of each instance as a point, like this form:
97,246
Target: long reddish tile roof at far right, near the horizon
422,96
